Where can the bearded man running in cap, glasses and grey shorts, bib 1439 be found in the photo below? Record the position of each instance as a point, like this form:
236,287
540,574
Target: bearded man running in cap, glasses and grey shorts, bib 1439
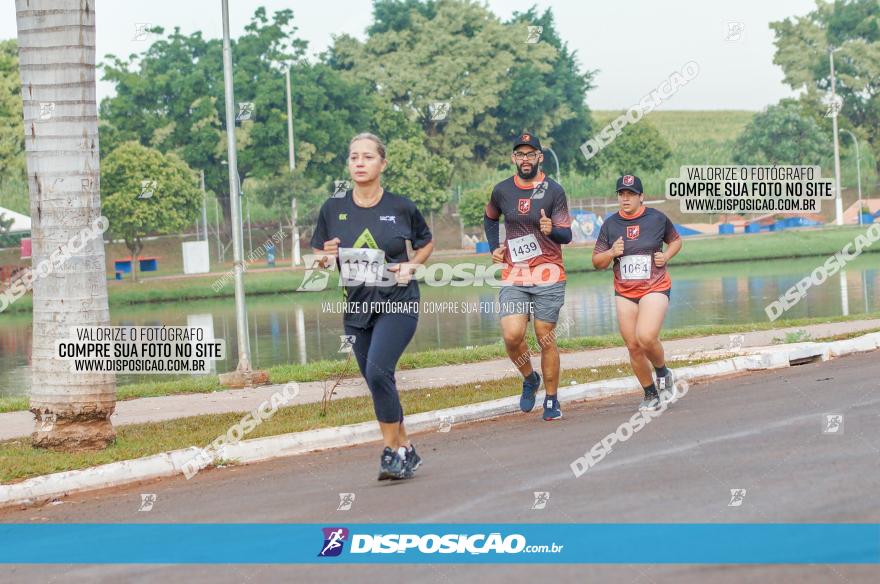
536,225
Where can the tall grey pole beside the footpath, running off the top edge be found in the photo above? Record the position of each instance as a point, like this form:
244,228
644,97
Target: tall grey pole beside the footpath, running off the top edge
244,351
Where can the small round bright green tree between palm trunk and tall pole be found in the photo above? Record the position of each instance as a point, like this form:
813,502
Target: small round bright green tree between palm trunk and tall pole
130,172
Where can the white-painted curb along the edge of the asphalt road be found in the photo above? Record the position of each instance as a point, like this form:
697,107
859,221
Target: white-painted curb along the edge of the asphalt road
48,487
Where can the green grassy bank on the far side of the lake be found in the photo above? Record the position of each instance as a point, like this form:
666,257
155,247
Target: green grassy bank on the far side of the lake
732,248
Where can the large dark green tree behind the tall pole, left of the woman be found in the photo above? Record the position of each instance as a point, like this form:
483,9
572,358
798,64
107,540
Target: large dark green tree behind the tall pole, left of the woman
171,98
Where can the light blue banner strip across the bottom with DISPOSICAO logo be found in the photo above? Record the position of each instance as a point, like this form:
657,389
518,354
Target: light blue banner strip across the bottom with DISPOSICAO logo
526,543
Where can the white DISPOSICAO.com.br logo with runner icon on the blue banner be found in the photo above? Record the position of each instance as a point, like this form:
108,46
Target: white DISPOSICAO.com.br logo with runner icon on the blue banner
430,543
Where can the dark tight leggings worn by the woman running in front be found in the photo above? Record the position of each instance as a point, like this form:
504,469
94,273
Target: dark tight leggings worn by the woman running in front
377,350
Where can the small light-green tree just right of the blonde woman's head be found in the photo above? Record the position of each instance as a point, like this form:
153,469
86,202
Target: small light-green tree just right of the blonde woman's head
415,172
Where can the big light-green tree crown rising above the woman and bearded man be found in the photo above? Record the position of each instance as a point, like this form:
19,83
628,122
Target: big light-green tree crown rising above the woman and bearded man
452,52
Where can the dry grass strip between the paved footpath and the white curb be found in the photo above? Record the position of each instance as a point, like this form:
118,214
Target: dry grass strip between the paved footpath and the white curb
19,460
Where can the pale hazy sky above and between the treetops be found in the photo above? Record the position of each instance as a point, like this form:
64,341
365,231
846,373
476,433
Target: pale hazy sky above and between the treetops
635,44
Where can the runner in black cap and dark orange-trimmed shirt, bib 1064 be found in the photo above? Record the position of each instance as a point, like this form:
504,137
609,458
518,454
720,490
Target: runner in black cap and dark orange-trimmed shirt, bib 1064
632,239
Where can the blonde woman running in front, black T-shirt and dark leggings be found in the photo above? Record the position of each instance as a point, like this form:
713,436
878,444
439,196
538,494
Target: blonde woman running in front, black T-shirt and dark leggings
365,231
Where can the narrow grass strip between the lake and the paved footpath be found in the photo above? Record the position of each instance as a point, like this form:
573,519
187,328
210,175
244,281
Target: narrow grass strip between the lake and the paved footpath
332,369
